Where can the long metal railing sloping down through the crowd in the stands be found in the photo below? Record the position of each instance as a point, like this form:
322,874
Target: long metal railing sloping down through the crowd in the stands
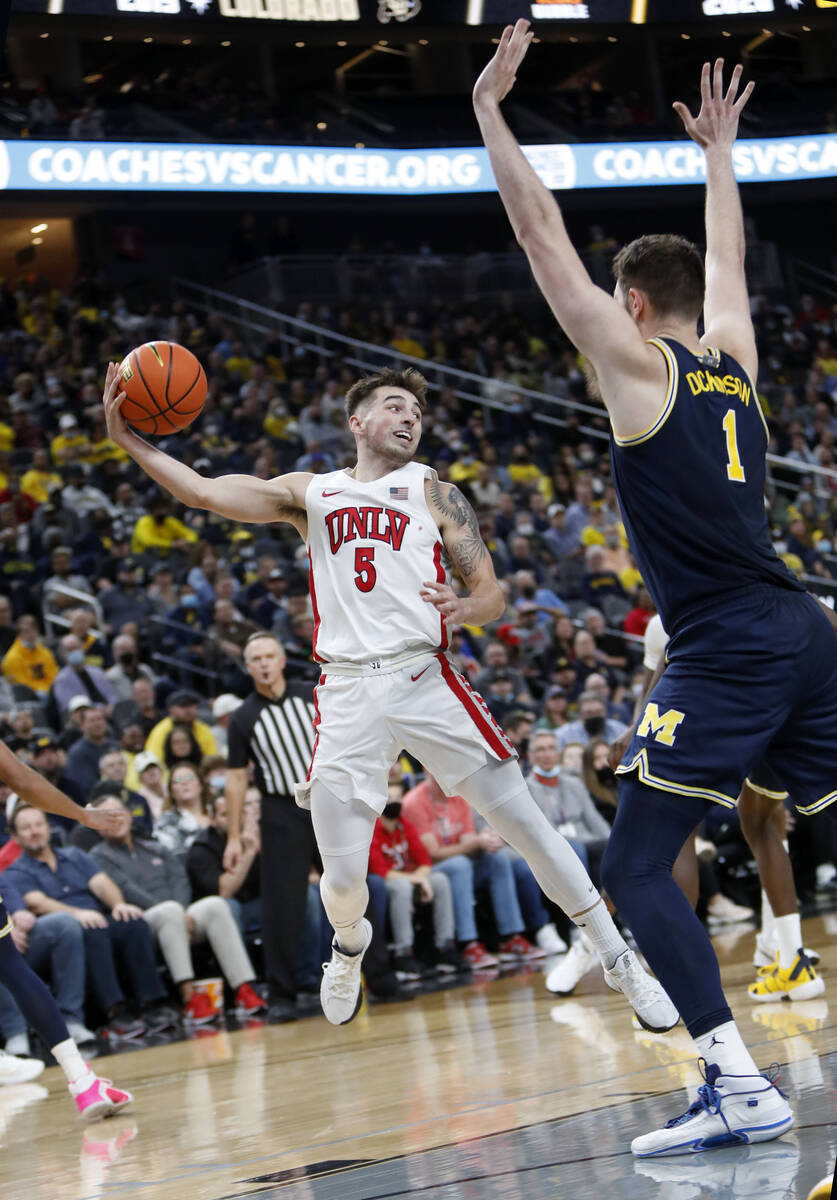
553,410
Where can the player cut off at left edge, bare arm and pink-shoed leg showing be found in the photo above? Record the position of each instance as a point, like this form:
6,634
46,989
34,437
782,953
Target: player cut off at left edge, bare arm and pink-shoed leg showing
94,1097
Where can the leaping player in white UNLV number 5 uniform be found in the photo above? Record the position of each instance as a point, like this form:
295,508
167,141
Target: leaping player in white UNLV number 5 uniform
381,539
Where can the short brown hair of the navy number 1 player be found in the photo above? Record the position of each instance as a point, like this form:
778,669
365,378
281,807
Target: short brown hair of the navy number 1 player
669,269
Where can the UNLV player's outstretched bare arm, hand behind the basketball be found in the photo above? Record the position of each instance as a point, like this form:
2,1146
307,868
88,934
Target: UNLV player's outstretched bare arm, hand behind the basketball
238,497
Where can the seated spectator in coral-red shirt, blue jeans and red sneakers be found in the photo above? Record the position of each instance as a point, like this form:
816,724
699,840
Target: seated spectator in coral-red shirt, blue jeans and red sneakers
471,861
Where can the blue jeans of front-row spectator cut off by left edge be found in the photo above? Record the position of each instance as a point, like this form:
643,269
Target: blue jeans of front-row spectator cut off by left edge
56,949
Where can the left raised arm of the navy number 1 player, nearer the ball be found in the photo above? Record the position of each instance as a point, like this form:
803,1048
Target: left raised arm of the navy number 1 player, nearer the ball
585,311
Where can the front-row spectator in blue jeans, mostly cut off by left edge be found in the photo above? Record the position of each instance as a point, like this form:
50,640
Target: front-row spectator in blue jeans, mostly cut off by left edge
53,946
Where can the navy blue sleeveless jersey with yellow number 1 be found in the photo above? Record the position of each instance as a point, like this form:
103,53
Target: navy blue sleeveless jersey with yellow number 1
691,488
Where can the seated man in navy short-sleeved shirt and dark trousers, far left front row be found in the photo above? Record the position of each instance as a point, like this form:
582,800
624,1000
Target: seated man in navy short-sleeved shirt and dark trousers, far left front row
67,880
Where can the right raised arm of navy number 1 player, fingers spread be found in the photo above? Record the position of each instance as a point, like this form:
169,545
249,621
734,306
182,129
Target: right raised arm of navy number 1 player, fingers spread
727,321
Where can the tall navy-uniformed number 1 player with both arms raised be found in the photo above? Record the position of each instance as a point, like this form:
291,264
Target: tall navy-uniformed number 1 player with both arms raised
752,670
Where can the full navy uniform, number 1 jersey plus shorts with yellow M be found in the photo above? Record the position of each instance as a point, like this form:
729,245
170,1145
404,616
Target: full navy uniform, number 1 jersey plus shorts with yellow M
752,673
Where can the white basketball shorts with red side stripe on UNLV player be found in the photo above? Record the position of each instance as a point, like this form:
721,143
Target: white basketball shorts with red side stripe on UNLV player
427,709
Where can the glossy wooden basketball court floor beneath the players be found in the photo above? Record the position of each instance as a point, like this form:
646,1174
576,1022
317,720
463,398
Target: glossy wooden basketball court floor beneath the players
496,1089
